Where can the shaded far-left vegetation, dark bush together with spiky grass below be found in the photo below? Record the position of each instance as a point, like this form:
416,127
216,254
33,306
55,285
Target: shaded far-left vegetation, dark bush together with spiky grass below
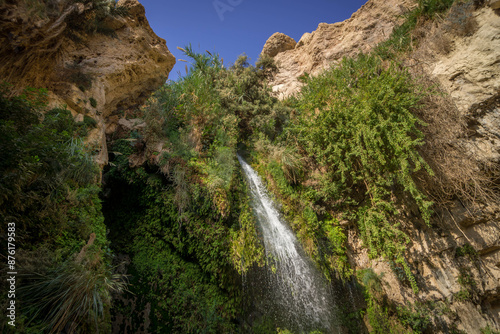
49,190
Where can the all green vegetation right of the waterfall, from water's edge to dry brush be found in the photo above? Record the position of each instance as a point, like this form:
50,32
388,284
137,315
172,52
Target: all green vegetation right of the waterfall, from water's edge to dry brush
357,134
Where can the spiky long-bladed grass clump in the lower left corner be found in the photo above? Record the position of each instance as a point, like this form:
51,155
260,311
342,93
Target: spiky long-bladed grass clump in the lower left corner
72,297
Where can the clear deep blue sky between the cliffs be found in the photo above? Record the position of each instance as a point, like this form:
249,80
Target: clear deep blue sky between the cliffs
233,27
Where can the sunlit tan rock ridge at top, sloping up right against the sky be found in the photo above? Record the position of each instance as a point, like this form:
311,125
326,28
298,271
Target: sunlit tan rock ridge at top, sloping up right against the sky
315,51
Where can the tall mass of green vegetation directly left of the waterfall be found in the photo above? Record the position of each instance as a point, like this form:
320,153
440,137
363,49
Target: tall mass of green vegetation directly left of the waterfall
190,231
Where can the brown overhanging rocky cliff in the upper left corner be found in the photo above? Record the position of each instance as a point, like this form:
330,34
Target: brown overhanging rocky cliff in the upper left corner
94,57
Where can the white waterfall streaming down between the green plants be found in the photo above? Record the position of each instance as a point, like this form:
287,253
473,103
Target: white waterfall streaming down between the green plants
295,292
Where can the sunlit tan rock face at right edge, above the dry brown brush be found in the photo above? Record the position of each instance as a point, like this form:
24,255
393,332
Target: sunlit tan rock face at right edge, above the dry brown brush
470,73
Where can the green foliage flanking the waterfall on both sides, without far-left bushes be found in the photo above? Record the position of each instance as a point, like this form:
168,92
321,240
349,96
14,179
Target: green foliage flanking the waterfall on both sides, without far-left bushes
338,152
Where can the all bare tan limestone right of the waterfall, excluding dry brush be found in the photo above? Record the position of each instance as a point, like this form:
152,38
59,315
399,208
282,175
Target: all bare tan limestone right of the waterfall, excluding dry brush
470,74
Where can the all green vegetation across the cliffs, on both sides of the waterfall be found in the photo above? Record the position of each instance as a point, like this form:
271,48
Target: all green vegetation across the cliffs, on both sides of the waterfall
344,154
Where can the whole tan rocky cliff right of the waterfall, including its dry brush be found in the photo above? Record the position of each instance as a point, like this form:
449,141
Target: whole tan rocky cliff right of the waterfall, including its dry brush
457,261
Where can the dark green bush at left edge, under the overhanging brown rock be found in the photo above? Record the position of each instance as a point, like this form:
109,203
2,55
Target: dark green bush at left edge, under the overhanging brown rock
41,163
